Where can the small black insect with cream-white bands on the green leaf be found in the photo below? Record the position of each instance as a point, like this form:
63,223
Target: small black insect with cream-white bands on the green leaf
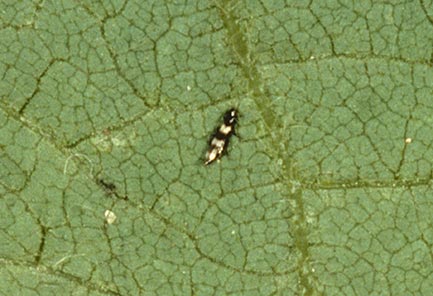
220,139
